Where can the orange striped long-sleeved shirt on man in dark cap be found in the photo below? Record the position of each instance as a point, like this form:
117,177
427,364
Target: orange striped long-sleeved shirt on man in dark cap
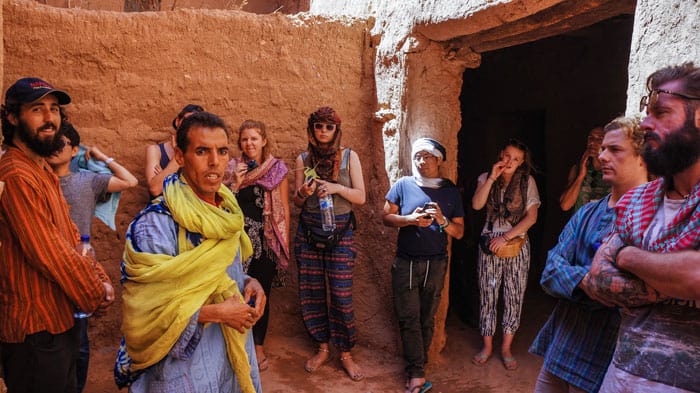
42,277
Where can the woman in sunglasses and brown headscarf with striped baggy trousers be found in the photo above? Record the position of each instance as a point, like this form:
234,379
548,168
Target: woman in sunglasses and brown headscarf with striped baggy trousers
339,174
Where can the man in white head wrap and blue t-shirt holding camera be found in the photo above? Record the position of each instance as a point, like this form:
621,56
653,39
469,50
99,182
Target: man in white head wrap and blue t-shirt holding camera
426,208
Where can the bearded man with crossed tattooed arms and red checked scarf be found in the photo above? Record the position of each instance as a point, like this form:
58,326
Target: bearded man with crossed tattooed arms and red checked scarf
650,266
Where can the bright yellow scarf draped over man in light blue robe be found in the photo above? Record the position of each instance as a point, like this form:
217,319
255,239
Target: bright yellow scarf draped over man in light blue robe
163,292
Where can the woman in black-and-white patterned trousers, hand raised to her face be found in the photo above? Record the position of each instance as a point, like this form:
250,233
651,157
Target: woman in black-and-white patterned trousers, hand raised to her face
511,199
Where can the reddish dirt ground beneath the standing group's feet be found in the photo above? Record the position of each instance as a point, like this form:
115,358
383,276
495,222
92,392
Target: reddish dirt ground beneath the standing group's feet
288,347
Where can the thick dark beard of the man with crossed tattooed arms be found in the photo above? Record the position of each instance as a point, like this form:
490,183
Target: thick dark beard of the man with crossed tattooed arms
677,152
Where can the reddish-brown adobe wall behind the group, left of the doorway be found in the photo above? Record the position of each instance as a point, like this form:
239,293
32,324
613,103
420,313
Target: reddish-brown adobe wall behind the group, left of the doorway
129,74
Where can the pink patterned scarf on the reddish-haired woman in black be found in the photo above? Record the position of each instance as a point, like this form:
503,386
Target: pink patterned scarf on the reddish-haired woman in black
269,175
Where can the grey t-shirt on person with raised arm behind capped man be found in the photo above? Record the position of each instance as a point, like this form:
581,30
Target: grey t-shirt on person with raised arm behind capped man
82,191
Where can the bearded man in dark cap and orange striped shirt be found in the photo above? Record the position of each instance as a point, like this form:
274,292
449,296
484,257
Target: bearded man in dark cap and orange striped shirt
43,279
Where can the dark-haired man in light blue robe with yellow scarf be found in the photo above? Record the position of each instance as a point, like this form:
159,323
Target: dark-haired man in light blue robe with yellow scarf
185,319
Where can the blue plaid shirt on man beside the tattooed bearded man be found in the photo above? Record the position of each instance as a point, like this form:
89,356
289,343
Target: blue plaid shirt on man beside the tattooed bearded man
578,339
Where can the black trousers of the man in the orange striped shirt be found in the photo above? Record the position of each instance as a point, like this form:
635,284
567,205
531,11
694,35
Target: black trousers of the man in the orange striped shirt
43,363
